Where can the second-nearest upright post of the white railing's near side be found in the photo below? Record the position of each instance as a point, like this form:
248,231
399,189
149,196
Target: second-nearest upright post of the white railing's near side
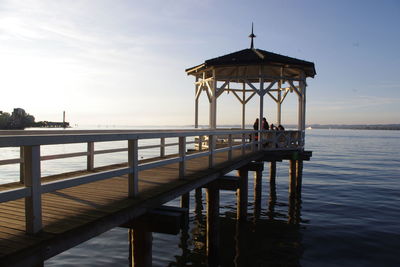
133,177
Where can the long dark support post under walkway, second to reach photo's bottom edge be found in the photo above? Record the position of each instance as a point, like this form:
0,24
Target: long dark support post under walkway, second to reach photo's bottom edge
212,195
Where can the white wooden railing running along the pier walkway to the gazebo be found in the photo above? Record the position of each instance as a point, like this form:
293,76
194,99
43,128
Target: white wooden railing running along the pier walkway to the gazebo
30,143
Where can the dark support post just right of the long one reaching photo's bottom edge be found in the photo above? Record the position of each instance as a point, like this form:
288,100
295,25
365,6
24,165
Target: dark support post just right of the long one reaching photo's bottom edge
242,194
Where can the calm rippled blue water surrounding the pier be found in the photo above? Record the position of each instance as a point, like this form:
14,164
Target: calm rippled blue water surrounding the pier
349,212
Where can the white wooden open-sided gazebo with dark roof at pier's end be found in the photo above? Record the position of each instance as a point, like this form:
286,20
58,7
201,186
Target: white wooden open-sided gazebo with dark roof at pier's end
251,72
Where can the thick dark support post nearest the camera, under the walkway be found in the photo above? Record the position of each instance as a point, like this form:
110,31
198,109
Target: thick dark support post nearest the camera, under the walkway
140,252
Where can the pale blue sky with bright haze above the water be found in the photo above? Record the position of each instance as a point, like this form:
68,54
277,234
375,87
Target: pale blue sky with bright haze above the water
123,62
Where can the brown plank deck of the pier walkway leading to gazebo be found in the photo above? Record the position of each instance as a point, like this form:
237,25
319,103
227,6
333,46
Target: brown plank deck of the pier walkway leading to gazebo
75,214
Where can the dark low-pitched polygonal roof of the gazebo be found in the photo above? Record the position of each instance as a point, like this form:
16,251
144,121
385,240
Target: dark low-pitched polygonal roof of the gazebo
251,57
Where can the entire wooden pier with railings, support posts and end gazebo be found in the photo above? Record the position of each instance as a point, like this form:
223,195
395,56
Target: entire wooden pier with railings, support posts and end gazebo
41,217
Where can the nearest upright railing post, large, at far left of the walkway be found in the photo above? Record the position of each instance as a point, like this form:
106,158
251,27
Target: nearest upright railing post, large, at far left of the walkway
33,203
